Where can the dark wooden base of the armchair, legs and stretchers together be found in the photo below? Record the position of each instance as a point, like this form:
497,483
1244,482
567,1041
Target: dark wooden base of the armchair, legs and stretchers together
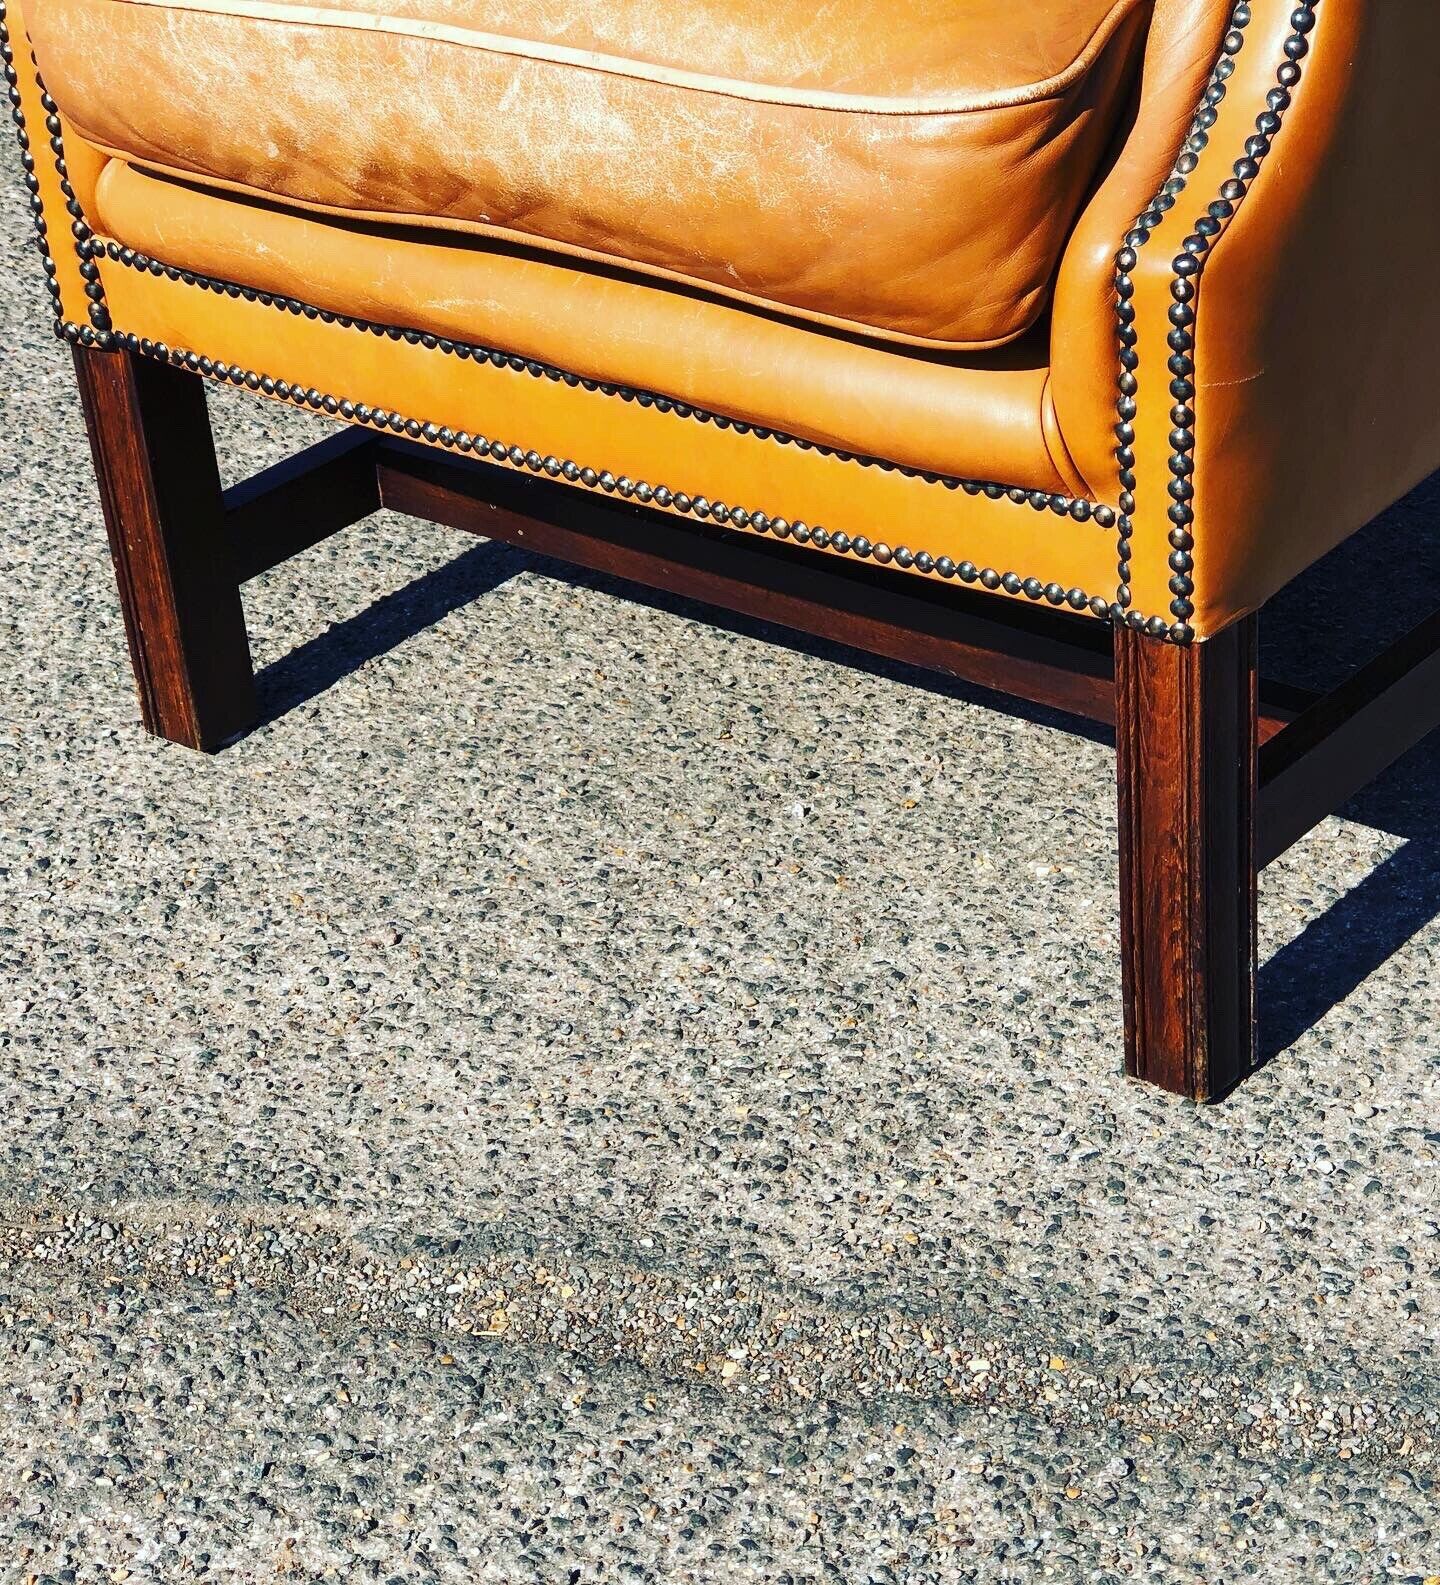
1217,773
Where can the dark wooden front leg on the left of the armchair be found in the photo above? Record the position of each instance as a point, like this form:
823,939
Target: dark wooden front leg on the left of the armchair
161,489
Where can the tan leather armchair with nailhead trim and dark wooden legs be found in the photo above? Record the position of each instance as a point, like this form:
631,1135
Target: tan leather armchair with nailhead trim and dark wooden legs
1040,345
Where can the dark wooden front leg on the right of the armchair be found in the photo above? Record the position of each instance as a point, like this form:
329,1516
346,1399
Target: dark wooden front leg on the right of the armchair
1187,743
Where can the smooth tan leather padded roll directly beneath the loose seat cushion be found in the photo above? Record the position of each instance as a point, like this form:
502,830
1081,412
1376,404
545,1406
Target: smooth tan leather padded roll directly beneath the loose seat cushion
980,414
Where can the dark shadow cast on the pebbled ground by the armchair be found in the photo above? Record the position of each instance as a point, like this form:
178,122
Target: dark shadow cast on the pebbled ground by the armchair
1316,632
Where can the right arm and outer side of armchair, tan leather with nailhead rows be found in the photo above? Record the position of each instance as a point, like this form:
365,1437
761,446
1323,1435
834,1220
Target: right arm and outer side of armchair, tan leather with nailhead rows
1309,321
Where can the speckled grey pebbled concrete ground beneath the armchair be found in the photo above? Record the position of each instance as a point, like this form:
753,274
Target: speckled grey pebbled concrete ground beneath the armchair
584,1094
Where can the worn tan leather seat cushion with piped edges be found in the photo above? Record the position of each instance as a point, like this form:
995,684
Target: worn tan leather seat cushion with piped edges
912,172
